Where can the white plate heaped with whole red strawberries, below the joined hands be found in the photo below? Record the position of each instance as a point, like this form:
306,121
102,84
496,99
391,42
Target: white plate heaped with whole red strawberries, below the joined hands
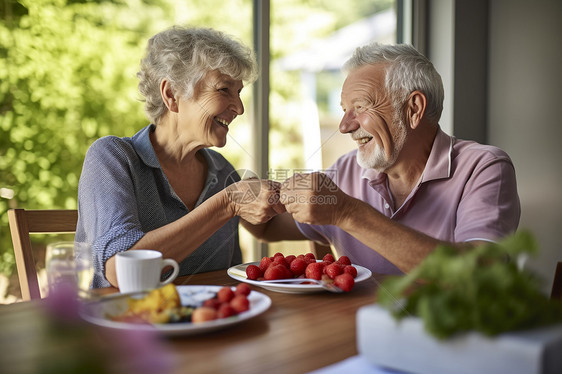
339,272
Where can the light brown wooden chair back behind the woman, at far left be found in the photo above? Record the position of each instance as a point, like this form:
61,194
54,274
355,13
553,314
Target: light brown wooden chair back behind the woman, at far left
22,224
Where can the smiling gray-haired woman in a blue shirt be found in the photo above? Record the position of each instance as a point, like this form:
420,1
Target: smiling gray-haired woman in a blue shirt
163,188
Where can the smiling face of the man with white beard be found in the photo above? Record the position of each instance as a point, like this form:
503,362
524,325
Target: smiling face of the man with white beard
370,118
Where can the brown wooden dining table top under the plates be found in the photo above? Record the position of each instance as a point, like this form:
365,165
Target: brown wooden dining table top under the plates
298,333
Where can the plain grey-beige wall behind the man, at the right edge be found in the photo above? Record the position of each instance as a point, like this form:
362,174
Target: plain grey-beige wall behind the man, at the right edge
525,113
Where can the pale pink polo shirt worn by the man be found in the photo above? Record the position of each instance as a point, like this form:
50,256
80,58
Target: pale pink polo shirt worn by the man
467,192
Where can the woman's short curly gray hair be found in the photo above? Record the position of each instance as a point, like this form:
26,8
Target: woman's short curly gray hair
184,56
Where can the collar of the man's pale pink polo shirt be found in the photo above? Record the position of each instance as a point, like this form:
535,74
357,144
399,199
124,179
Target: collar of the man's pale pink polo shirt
438,164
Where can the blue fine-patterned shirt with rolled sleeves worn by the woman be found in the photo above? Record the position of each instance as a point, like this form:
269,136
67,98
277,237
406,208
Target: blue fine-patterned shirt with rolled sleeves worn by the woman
123,193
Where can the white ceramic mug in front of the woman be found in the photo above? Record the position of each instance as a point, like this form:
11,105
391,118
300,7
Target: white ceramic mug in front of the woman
141,269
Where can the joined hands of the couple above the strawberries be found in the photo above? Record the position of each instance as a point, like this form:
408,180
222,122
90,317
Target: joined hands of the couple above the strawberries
311,198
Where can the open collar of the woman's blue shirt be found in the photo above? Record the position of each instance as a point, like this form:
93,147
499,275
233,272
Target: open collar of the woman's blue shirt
145,150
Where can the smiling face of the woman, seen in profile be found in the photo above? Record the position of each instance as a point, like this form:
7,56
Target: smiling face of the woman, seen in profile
215,104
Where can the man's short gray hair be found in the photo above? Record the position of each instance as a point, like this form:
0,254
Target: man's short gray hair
408,70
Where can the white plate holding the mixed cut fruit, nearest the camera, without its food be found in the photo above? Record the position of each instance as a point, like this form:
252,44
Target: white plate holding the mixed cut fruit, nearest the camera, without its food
96,312
